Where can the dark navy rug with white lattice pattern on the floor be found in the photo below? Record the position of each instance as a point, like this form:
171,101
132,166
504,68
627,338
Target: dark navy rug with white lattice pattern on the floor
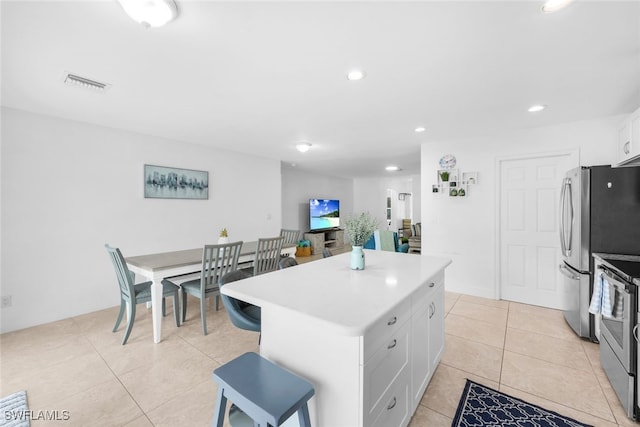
483,406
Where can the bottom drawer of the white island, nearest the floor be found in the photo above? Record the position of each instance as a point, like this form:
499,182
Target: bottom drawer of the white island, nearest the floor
394,410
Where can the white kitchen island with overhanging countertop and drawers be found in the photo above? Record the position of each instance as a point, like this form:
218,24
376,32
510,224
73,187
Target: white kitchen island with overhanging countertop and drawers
368,340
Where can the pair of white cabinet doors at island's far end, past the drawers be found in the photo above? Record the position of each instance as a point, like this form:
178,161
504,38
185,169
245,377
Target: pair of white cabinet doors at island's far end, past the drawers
427,336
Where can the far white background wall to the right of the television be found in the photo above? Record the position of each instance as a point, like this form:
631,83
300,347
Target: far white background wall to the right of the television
370,195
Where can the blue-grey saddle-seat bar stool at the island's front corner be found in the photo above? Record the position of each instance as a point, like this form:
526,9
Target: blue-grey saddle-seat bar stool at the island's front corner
265,392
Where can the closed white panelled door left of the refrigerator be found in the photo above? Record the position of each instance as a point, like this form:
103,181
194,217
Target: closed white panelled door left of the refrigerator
529,239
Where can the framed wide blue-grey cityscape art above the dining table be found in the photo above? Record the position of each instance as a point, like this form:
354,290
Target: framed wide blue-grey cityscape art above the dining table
163,182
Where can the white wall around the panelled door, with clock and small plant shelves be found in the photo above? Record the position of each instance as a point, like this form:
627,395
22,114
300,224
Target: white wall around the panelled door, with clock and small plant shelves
465,228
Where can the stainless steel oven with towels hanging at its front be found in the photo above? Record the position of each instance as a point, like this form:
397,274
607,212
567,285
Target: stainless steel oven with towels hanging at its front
617,343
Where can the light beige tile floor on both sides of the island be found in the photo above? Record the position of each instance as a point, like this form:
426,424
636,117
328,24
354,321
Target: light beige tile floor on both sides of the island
78,365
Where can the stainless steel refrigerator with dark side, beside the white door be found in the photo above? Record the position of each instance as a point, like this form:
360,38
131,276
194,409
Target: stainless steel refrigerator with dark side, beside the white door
599,212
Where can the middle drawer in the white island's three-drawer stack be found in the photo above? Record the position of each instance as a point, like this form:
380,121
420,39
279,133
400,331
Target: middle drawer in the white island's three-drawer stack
384,369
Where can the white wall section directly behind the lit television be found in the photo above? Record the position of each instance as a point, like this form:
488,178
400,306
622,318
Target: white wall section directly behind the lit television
298,187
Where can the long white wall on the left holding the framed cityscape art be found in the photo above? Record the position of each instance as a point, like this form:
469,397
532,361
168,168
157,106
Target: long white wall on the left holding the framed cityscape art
68,188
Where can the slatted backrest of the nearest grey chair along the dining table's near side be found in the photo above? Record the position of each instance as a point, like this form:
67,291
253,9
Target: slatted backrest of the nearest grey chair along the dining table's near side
218,260
